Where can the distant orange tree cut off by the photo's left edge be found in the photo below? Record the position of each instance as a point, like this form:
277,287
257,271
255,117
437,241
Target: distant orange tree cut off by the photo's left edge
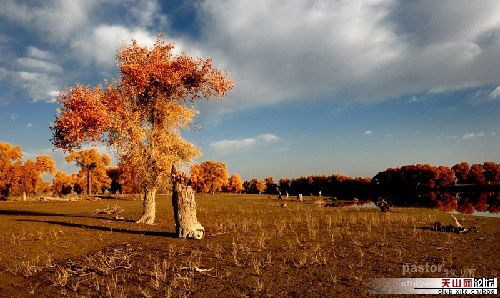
9,155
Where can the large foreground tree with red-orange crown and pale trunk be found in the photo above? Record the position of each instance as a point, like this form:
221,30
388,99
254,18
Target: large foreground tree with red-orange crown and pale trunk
141,113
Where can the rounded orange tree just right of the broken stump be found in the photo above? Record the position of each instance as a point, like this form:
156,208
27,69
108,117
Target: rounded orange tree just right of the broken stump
209,176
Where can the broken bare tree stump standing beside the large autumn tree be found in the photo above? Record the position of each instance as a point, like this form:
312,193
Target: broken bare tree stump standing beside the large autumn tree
186,224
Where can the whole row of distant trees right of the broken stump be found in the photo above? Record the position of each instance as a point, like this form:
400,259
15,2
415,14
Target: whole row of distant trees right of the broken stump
210,177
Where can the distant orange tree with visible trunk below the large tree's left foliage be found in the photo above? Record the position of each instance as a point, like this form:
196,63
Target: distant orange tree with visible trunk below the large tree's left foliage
92,168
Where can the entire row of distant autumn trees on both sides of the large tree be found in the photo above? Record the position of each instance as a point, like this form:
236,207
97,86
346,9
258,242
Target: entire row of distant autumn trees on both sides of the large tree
95,176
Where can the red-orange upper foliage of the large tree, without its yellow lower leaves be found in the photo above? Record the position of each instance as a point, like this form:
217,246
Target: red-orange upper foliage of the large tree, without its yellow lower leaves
151,84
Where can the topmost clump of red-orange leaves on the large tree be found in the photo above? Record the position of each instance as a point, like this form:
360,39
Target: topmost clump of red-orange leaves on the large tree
157,73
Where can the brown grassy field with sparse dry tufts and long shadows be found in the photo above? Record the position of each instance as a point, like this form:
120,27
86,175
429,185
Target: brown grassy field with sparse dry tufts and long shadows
254,247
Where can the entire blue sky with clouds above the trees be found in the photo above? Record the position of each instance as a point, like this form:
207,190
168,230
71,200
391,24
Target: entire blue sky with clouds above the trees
321,87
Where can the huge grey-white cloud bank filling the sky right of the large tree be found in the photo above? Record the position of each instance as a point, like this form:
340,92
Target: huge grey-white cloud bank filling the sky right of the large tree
350,50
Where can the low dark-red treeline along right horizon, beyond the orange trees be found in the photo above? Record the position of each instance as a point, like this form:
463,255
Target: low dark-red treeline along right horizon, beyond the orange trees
410,178
